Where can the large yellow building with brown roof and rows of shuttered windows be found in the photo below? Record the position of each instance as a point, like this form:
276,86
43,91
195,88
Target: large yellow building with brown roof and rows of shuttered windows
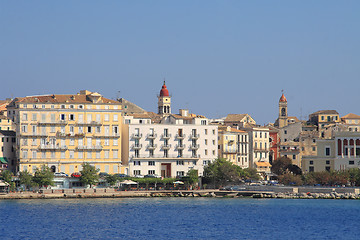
64,131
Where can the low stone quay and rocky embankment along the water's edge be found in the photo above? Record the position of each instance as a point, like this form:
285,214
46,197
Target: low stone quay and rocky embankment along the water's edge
249,191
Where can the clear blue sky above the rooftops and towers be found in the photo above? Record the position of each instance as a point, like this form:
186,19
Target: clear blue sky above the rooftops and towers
217,57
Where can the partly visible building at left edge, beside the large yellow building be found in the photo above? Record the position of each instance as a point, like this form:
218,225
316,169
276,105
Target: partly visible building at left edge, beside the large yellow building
8,147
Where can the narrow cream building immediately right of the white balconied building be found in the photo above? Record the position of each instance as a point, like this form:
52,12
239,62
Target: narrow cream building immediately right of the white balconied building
234,146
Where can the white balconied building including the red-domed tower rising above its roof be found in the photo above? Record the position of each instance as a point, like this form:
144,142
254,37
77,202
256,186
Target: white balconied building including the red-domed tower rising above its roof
166,144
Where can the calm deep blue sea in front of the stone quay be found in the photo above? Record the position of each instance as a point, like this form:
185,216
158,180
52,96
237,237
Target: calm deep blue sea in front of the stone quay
179,218
